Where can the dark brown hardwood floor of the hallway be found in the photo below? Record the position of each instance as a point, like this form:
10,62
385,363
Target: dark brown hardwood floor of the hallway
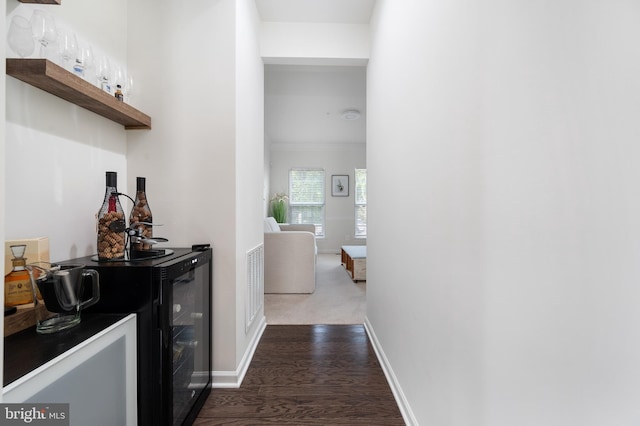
317,374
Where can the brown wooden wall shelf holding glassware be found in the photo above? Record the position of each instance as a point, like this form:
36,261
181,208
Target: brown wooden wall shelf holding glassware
54,79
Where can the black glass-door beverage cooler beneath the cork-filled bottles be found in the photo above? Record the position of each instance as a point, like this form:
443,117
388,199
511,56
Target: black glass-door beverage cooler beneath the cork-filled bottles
171,295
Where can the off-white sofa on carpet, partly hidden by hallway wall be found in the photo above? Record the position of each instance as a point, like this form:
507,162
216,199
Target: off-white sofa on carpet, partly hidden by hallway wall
290,254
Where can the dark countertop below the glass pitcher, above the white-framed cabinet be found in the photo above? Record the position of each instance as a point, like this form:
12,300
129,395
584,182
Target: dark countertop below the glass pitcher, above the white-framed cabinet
27,350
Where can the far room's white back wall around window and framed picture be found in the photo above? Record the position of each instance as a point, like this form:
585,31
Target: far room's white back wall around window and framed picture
334,159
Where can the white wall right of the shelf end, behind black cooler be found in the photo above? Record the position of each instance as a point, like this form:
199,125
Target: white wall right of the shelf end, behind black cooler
189,155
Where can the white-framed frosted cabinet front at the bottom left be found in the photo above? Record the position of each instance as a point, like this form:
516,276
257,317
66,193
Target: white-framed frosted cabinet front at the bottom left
96,377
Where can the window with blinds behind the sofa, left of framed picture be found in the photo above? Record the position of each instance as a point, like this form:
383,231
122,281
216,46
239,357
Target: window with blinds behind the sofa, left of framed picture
306,198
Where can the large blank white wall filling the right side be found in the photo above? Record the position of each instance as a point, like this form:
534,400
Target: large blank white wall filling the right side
514,296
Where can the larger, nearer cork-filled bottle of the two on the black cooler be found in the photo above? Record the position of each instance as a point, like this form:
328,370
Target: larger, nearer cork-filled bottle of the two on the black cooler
111,223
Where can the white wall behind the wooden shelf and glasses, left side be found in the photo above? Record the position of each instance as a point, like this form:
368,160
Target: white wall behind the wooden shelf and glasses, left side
57,152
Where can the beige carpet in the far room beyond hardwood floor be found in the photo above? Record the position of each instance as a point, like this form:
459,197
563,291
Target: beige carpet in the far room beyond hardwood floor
337,299
